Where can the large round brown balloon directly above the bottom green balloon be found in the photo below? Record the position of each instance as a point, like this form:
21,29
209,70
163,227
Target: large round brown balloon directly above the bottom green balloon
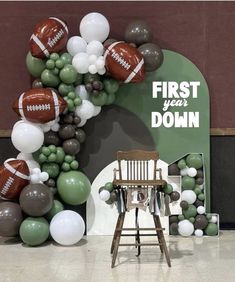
36,199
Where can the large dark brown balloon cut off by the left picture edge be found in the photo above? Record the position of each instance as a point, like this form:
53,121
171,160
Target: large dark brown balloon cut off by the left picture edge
10,219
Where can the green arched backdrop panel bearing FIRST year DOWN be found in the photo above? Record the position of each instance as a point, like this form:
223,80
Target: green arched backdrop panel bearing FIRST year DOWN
173,143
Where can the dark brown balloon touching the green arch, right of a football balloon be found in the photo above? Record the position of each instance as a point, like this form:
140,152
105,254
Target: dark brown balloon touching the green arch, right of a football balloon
153,56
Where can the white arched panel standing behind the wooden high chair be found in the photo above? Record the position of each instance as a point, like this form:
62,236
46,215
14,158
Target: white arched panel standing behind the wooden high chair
102,218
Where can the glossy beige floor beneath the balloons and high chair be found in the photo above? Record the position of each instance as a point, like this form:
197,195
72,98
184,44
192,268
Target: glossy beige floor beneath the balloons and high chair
208,259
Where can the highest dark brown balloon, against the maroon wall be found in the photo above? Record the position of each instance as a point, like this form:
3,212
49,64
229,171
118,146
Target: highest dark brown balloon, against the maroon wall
138,32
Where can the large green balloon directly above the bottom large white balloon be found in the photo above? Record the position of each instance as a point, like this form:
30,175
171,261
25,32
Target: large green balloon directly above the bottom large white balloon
73,187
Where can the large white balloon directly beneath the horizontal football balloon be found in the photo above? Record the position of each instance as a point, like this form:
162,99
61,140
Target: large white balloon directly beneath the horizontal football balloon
27,137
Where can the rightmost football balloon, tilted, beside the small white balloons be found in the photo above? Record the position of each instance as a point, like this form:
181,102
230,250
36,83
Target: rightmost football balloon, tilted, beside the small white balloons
124,62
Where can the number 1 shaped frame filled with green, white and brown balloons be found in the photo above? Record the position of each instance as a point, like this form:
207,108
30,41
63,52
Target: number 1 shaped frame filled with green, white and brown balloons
193,218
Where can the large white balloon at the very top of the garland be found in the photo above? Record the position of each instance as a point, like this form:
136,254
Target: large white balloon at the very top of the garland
94,26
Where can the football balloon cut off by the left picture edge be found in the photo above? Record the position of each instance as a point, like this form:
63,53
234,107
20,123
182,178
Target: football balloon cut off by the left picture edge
14,176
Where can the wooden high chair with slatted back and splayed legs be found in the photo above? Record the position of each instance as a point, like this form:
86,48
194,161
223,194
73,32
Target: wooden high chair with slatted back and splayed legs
133,184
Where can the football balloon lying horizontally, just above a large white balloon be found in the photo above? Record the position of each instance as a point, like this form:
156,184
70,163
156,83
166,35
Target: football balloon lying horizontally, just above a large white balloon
39,105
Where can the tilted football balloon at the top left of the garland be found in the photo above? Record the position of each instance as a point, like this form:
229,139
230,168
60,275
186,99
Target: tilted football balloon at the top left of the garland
49,36
